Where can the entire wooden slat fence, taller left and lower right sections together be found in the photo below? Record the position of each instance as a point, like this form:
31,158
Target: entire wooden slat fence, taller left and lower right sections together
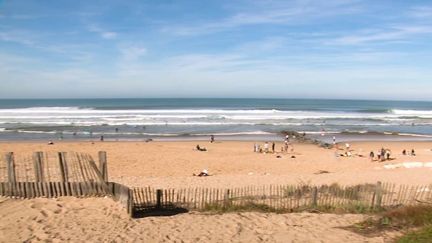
75,174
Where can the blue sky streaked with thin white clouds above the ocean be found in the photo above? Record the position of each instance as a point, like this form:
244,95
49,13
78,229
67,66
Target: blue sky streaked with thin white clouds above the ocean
349,49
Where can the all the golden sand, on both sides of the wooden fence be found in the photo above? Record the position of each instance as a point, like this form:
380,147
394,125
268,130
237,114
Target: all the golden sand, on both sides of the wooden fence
231,164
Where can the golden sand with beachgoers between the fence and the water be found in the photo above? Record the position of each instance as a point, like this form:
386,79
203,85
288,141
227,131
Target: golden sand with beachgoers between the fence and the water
172,164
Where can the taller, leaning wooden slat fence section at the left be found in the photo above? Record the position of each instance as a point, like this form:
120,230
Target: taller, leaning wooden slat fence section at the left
59,174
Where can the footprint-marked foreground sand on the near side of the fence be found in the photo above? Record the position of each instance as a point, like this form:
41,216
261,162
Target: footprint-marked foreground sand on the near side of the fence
101,220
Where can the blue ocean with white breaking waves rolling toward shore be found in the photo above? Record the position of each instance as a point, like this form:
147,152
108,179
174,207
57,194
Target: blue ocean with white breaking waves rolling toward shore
165,119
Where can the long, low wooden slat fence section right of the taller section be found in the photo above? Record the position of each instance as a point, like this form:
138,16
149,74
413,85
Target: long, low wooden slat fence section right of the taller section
284,197
